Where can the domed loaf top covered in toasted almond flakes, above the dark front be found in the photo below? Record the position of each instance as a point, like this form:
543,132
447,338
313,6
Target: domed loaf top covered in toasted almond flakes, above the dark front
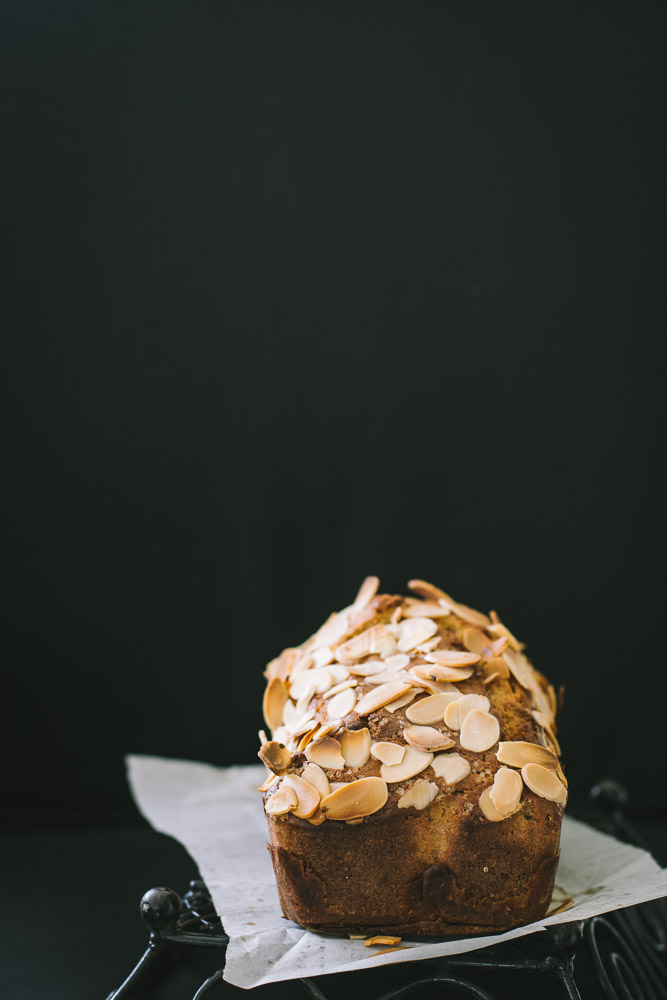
396,701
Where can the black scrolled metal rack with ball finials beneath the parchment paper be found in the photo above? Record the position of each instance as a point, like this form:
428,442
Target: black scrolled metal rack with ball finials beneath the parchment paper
614,941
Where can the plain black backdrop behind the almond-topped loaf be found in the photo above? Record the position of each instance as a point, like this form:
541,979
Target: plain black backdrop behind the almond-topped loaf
303,291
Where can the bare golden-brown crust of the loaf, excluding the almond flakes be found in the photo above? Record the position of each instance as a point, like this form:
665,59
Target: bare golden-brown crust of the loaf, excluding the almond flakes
441,870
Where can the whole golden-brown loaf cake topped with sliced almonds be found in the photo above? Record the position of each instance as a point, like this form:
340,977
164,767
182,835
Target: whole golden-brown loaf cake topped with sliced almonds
418,854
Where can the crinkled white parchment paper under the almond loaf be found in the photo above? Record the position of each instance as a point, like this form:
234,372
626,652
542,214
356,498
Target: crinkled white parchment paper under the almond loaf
217,814
